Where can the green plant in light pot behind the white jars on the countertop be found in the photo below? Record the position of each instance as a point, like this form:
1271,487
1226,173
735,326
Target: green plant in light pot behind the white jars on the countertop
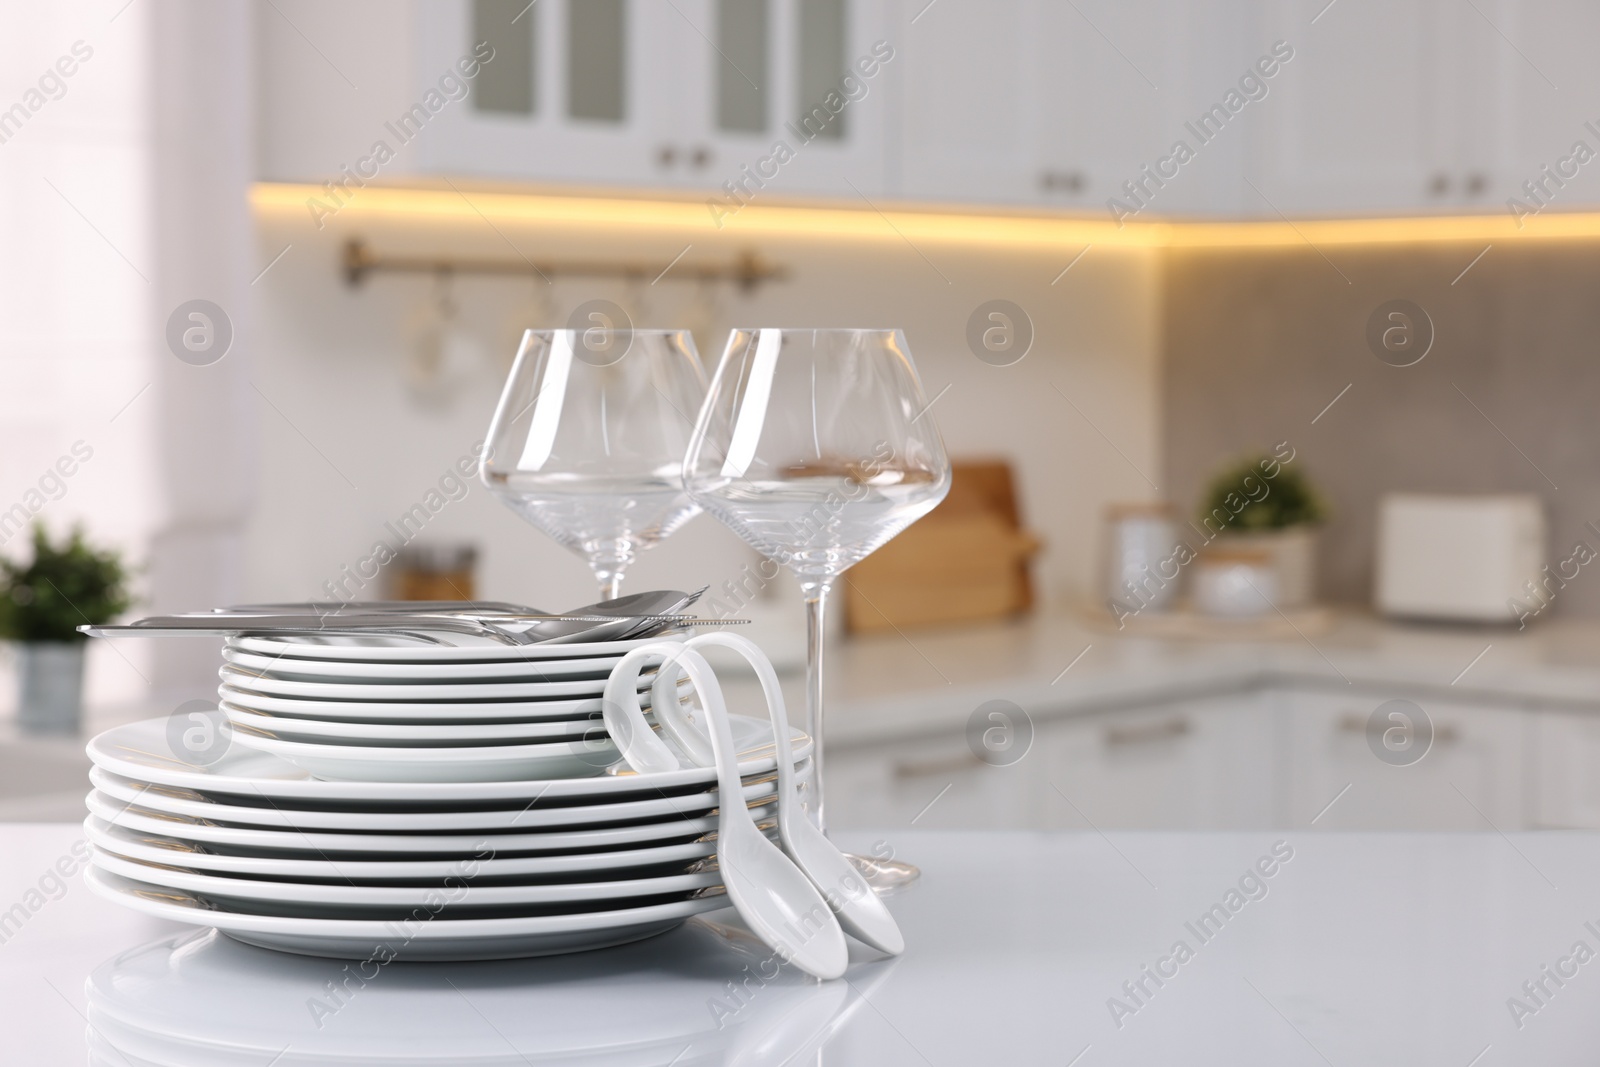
1268,505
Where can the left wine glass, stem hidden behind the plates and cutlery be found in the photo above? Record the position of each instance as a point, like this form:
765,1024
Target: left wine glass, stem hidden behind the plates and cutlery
588,441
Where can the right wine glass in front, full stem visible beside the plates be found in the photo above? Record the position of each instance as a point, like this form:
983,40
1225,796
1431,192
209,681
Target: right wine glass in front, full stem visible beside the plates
817,447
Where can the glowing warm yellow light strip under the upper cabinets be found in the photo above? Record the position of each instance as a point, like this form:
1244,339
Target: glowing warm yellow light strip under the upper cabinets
940,225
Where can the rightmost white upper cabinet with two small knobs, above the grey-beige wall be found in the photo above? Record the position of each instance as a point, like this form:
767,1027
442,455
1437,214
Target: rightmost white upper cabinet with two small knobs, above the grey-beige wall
1423,106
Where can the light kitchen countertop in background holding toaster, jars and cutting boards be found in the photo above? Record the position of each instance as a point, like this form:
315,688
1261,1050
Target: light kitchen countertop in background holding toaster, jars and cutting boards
924,682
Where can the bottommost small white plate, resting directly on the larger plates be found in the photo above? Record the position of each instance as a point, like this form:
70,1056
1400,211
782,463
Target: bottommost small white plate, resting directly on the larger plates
476,764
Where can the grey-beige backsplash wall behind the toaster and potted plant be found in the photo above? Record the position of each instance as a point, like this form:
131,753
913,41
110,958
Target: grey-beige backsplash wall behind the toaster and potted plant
1257,345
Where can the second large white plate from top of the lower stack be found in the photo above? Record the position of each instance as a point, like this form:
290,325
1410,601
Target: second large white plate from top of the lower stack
193,805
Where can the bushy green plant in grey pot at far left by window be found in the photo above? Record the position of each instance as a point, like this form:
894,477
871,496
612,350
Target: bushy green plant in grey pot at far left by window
42,605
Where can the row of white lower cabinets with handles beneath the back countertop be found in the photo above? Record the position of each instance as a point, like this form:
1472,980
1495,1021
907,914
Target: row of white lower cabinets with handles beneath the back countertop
1276,757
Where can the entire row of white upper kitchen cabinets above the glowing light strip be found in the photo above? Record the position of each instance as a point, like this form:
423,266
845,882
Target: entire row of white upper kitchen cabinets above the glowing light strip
1385,108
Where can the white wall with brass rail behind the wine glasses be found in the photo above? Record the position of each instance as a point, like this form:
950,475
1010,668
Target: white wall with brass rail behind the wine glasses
346,447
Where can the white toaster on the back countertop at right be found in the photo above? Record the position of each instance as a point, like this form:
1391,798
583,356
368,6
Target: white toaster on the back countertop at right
1458,557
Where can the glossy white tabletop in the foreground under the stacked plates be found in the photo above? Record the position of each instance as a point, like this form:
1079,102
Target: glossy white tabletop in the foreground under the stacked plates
1366,949
